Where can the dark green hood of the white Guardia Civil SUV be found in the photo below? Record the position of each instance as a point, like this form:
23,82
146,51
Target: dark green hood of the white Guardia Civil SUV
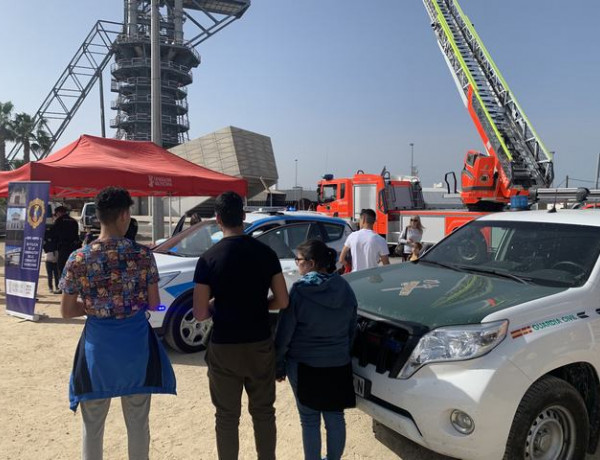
435,296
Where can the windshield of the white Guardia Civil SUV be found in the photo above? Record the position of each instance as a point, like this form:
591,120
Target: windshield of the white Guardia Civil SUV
529,252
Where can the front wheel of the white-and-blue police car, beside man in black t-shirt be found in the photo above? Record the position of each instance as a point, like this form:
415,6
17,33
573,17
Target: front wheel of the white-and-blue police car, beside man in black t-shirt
184,333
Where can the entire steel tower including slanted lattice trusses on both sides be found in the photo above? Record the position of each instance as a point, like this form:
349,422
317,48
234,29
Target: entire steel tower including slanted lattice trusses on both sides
129,42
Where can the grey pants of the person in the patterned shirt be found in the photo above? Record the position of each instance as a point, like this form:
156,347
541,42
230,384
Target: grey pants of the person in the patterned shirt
135,412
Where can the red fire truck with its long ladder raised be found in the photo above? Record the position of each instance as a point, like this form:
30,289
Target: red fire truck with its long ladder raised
515,162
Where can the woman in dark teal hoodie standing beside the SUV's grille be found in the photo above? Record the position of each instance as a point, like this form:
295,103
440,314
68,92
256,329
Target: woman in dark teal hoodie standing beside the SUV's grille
313,342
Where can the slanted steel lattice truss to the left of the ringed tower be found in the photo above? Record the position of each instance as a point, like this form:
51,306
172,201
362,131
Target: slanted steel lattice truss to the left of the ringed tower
74,84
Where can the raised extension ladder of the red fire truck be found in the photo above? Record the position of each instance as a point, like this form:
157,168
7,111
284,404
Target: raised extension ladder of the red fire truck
512,140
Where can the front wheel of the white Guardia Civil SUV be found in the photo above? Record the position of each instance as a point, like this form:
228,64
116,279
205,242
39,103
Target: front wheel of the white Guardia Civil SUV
551,423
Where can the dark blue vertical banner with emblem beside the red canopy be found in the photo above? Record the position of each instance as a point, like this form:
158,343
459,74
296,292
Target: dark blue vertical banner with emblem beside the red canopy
25,226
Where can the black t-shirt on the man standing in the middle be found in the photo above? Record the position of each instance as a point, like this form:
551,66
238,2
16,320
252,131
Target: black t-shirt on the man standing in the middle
239,270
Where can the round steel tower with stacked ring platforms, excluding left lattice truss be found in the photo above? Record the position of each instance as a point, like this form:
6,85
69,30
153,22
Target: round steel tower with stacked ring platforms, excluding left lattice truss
132,68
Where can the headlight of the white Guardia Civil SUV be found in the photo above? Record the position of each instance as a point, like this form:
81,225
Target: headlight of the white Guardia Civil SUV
454,343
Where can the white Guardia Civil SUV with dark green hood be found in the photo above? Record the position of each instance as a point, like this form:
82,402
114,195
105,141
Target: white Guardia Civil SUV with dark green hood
488,347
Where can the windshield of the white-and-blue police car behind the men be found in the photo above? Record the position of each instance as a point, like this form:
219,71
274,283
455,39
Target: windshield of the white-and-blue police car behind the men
194,241
